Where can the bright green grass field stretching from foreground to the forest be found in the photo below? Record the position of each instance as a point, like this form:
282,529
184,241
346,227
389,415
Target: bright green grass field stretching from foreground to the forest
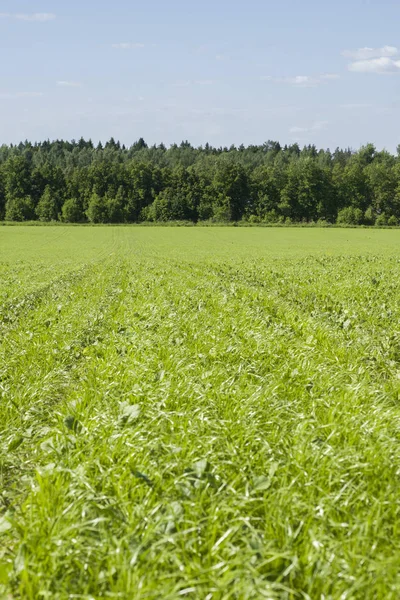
202,413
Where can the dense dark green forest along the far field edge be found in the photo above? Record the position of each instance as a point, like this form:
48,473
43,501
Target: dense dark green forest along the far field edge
79,182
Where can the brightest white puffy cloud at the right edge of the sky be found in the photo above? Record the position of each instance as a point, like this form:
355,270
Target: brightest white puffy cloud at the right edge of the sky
383,60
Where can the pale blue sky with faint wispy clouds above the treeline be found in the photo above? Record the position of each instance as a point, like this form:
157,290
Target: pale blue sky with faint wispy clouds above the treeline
222,71
